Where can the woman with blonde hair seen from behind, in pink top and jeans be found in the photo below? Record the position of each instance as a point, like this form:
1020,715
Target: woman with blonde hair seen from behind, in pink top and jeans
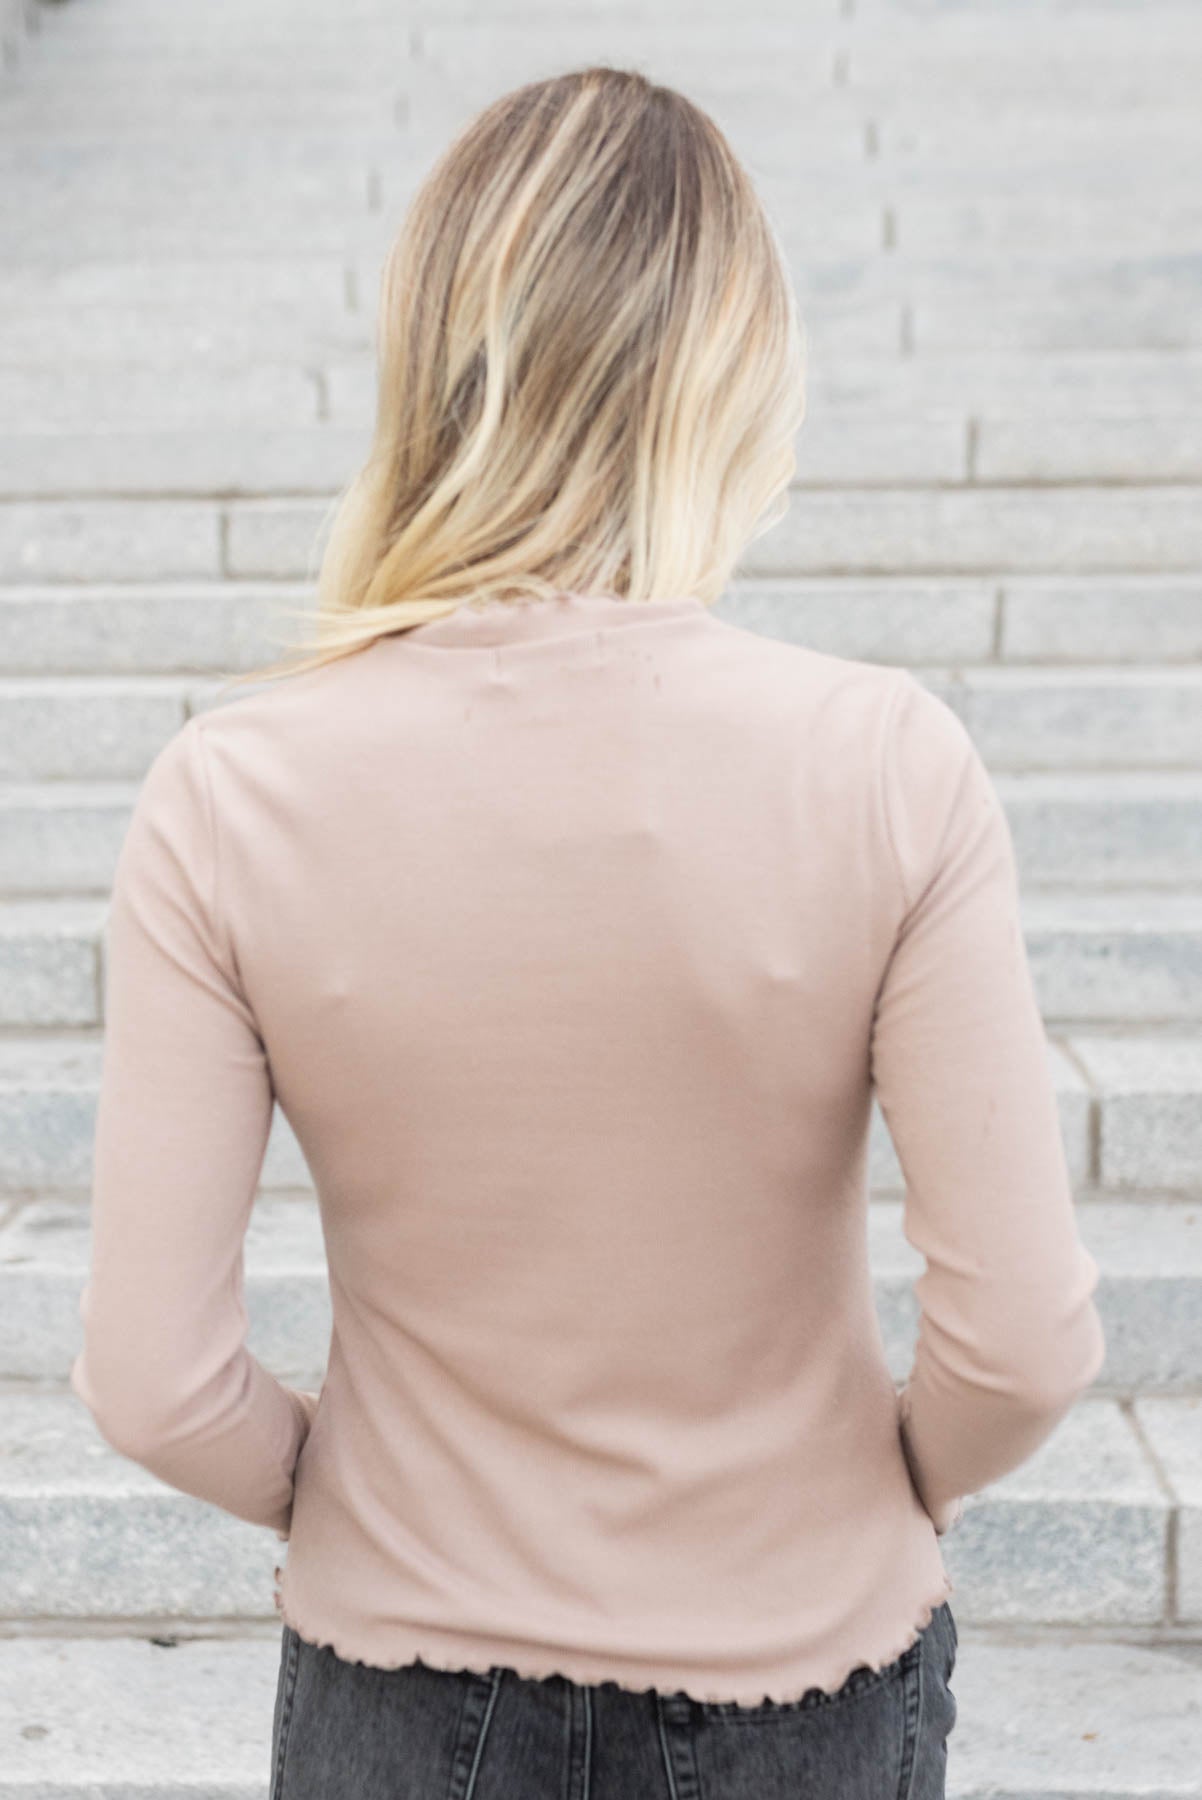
575,931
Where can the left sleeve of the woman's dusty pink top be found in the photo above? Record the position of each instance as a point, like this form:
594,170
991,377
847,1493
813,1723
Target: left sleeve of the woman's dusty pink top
181,1131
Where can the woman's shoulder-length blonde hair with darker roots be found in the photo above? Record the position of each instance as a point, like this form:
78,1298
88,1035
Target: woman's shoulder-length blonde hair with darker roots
591,370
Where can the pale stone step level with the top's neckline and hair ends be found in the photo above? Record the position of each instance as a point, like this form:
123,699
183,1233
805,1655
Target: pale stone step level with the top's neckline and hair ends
213,627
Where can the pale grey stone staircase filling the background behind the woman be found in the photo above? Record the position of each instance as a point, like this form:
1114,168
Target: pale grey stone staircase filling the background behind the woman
994,222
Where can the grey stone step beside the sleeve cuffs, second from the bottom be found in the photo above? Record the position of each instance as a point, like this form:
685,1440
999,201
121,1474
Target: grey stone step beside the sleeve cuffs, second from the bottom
1079,1536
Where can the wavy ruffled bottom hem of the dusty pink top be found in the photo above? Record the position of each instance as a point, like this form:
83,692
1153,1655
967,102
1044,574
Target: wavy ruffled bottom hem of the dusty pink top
530,1669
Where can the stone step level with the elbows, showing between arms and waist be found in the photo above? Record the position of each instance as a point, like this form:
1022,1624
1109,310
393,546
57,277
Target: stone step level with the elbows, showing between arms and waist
1149,1254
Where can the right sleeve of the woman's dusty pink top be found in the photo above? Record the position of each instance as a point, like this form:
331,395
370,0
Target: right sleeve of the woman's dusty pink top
1009,1329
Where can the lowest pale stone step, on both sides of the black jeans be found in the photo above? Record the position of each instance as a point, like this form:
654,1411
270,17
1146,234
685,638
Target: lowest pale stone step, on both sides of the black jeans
143,1711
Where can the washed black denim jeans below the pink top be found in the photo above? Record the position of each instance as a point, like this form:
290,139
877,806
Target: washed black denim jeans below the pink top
354,1732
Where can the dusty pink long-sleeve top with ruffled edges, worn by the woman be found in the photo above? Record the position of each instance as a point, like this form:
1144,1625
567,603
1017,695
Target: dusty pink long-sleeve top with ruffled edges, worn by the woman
575,940
